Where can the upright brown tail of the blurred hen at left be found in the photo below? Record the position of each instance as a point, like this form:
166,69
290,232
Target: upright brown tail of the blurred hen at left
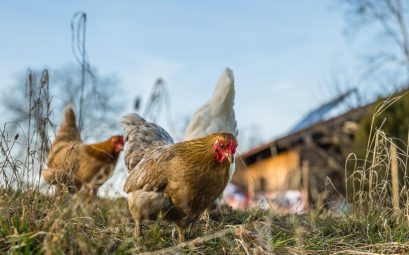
68,129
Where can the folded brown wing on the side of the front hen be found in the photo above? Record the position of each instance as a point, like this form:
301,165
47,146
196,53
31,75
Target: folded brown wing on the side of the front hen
151,173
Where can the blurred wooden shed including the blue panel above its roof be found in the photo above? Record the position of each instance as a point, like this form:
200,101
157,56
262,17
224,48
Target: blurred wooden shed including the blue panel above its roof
304,167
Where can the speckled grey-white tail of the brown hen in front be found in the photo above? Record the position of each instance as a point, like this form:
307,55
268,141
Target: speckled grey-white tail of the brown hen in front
141,136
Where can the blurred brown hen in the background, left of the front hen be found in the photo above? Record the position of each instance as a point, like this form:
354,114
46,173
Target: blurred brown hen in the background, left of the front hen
74,164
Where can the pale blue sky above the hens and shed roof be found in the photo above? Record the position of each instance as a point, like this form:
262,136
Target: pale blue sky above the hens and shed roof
281,52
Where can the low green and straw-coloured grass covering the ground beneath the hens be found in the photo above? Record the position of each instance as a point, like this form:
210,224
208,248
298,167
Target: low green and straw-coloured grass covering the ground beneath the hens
33,223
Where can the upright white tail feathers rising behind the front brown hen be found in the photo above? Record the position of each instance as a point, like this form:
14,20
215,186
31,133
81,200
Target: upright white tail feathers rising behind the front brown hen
217,115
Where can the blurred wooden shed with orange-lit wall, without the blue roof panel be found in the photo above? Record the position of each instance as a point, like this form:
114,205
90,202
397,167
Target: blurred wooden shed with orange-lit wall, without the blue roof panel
311,160
